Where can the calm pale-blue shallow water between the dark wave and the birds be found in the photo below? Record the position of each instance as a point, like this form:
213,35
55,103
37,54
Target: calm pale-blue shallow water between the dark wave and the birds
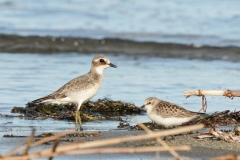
25,77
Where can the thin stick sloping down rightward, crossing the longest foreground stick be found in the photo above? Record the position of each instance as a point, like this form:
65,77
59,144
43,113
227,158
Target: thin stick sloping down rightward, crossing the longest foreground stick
159,140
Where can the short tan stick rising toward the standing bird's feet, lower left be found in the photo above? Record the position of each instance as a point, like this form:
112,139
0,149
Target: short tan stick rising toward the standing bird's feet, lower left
44,140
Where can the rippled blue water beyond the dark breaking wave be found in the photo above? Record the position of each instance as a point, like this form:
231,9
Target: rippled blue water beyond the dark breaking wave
204,22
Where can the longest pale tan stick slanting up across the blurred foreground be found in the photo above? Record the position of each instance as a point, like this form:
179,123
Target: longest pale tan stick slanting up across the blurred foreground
70,147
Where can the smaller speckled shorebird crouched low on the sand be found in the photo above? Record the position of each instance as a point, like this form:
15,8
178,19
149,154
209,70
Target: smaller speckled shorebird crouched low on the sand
166,113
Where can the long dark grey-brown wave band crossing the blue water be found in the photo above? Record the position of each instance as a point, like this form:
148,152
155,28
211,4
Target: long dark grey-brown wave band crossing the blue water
50,45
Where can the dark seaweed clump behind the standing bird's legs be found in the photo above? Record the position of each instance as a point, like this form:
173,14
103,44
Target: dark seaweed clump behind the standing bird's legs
102,109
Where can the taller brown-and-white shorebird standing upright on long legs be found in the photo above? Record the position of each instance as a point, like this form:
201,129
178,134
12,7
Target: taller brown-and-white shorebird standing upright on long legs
80,89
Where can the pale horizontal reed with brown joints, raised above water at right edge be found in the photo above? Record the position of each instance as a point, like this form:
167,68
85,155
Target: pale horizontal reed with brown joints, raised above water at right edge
227,93
